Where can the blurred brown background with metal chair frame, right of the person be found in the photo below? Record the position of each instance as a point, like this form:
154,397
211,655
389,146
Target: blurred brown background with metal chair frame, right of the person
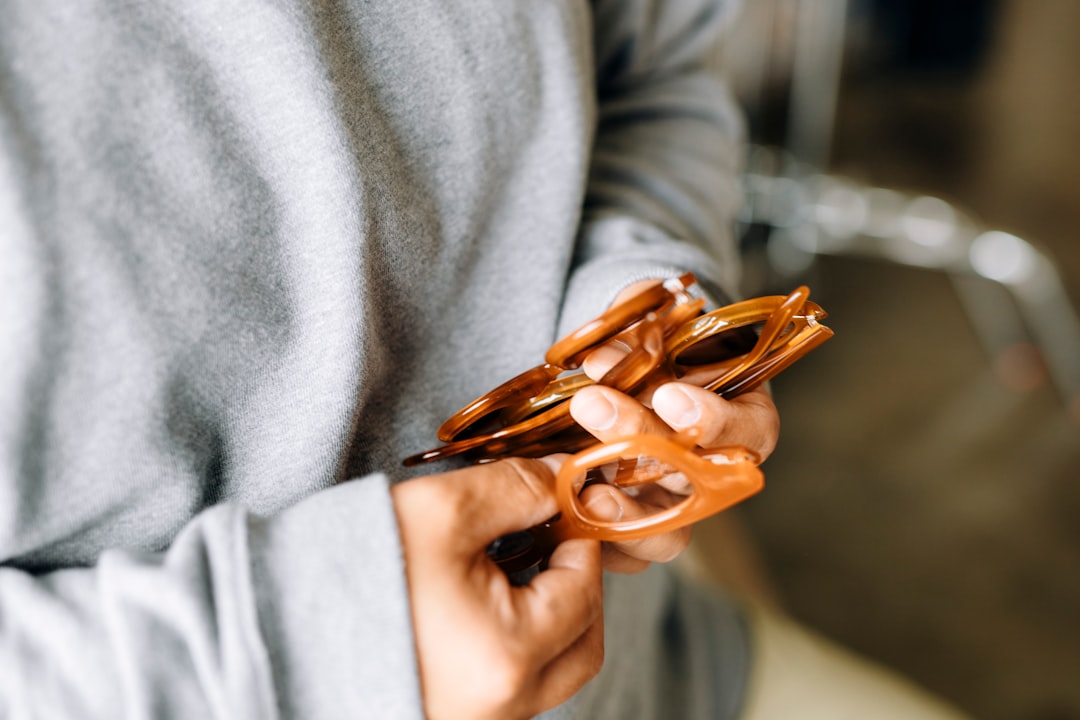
917,165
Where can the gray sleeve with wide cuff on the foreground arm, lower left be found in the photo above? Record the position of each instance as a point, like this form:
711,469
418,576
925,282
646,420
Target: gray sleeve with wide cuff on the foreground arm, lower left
302,616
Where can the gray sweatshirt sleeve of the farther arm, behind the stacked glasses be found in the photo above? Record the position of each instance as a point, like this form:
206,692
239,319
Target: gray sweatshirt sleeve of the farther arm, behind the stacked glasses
664,186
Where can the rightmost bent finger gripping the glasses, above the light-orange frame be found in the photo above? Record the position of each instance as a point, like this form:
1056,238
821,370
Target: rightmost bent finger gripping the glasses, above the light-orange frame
750,419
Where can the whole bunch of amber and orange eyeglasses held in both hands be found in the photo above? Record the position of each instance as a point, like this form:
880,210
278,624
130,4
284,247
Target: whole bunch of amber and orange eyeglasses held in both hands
668,337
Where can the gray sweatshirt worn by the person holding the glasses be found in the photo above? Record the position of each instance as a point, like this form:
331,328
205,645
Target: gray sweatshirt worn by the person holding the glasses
253,249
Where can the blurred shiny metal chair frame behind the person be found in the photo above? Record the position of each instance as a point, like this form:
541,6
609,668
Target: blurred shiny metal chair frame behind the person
1010,289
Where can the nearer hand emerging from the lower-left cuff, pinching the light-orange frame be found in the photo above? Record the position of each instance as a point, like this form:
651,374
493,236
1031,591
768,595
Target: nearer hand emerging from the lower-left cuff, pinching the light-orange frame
489,649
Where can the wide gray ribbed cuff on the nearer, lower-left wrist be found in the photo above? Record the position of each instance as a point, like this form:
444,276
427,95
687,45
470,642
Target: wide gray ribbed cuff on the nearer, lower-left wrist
334,606
